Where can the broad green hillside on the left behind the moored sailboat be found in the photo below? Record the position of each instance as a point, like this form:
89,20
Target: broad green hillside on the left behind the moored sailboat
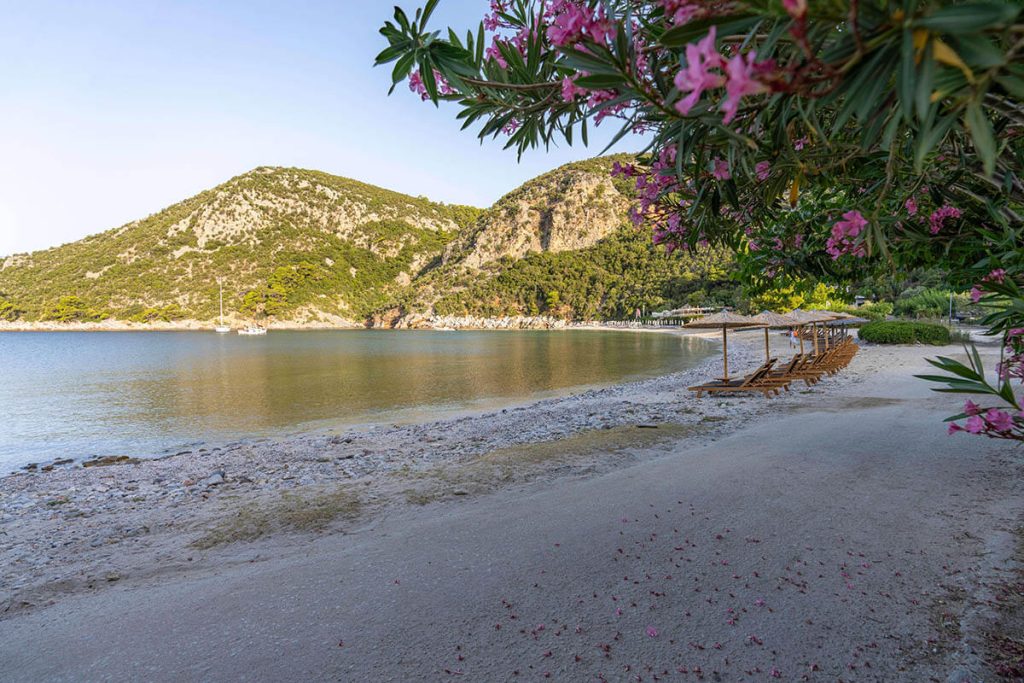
287,243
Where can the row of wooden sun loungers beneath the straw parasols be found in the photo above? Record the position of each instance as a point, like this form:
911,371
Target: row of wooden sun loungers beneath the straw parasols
771,380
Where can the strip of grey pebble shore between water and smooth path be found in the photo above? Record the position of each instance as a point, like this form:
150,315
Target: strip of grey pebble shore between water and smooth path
74,528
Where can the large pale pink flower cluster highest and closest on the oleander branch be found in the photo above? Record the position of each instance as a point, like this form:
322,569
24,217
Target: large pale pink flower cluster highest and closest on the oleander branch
708,70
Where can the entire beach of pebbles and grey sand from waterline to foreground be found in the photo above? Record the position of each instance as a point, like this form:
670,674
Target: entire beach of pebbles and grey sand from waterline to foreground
623,534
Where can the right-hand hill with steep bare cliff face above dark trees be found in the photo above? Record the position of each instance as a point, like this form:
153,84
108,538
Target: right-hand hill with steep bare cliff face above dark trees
563,245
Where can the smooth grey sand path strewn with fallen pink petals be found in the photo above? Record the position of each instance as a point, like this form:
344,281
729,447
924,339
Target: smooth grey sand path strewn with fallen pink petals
845,539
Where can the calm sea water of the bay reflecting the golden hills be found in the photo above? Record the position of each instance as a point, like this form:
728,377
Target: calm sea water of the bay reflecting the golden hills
81,395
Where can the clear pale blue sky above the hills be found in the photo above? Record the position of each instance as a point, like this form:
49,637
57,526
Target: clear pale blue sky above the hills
112,111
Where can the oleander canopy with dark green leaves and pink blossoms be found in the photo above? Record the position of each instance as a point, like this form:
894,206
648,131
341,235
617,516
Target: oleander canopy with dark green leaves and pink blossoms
822,138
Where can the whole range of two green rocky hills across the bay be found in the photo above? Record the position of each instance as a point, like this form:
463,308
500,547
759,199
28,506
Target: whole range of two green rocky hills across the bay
304,247
